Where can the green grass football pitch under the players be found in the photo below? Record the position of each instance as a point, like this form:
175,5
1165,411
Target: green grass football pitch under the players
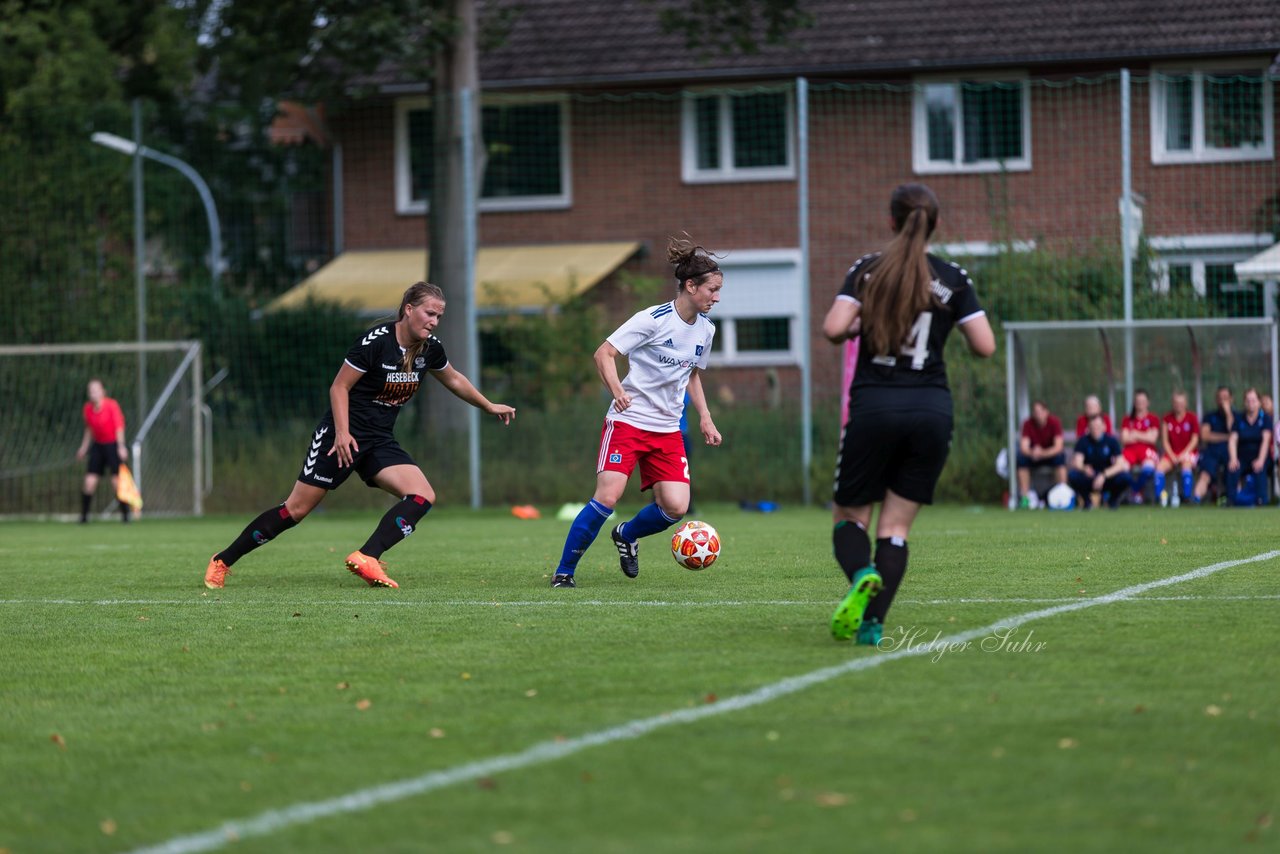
141,710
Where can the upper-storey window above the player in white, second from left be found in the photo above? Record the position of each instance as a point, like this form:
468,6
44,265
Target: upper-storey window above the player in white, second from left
739,136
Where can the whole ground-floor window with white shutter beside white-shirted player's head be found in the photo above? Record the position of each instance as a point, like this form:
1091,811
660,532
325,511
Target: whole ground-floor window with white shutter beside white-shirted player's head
757,321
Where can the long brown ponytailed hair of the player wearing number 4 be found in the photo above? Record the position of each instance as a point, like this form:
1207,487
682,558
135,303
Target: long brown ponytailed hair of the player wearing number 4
899,278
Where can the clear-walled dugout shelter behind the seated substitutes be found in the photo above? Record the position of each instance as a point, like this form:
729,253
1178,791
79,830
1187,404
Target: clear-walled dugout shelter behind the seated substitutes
1062,363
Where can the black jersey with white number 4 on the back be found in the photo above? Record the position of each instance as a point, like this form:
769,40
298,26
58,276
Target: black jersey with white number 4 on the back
920,362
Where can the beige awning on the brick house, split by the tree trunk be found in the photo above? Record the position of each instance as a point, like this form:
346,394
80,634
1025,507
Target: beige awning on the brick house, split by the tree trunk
509,278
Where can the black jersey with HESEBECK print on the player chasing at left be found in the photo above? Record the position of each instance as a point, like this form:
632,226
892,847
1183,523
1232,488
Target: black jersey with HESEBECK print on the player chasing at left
385,387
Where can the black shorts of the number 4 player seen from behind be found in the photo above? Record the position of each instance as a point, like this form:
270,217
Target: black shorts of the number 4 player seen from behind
893,444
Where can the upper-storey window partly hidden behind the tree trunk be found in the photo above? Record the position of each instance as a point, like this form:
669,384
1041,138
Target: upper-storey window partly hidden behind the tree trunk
527,152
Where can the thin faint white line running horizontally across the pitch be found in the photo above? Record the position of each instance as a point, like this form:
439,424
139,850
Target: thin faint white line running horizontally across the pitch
595,604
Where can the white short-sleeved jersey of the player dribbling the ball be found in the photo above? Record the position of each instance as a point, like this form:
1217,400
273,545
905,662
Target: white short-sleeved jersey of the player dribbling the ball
662,351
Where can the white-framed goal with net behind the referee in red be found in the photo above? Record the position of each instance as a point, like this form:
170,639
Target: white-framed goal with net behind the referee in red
43,394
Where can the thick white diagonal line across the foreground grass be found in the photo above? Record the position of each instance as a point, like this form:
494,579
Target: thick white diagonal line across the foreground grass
276,820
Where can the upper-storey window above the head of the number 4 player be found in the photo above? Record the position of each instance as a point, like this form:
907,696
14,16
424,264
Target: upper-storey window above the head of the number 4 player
972,126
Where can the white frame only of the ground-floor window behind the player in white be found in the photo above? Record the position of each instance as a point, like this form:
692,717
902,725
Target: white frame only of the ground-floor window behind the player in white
725,353
